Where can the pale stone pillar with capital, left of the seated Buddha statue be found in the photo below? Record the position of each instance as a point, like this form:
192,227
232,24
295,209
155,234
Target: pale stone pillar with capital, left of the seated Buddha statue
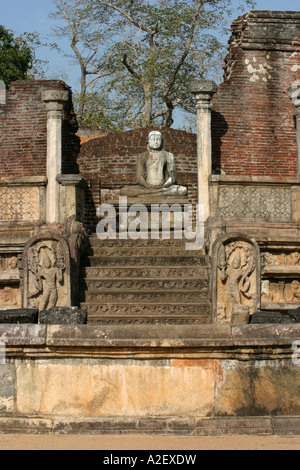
54,100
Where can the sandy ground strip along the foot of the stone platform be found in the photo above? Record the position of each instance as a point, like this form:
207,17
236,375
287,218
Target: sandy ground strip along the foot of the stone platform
142,442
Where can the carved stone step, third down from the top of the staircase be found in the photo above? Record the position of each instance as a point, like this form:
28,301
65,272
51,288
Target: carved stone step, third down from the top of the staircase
145,260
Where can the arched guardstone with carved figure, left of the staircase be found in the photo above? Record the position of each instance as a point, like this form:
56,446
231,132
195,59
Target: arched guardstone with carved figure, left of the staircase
46,261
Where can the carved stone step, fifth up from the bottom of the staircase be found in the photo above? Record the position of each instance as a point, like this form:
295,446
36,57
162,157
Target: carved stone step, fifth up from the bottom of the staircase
141,272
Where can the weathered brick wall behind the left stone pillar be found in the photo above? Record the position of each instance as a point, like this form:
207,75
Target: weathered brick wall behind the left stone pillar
23,130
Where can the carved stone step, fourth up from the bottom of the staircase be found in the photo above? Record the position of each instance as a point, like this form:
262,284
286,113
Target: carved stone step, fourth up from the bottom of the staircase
93,284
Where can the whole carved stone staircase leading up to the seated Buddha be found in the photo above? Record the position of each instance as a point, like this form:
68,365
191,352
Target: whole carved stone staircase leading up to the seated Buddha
144,281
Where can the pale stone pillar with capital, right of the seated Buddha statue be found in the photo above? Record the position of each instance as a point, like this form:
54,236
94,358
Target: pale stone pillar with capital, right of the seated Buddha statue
204,91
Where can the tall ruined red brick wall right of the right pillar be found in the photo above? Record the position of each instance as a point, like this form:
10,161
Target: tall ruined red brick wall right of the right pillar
253,120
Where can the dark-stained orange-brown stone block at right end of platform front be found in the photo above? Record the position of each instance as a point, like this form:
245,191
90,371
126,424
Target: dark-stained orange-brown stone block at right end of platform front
258,388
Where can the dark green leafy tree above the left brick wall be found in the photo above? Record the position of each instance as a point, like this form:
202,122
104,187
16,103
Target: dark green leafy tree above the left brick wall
16,57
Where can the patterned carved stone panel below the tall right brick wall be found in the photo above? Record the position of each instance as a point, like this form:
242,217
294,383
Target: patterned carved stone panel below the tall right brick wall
267,203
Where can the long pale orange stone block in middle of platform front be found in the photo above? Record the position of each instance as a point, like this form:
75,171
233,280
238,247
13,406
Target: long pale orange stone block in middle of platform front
110,389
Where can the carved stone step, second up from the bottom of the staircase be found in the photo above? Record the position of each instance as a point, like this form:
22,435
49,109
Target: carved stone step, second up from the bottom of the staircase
201,310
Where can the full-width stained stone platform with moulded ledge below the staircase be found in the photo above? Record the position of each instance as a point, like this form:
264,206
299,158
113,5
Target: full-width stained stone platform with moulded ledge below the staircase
150,379
